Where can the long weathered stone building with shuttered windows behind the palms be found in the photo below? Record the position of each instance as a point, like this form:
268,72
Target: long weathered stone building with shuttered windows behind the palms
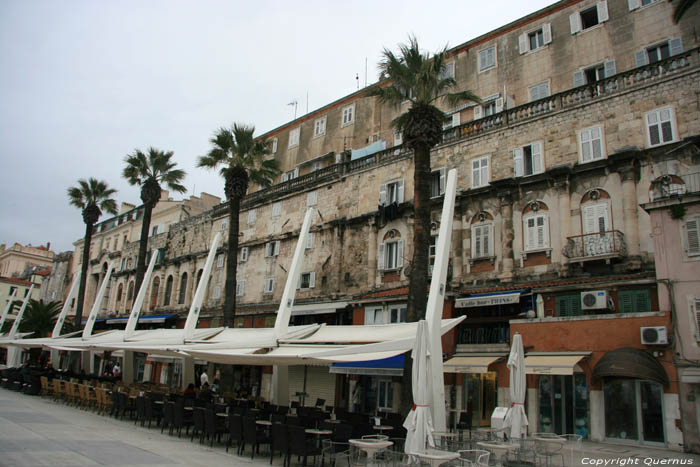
588,107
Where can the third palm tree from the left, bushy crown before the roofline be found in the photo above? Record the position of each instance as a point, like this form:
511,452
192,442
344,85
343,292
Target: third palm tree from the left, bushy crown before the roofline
242,160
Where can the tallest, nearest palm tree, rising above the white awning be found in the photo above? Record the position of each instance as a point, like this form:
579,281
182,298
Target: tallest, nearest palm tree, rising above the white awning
417,78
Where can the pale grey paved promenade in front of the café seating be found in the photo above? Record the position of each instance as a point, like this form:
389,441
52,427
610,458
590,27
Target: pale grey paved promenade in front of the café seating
38,432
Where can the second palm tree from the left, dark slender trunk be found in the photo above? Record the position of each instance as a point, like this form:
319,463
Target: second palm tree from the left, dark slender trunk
149,172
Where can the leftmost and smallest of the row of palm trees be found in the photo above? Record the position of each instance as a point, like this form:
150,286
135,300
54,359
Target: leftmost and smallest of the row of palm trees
92,197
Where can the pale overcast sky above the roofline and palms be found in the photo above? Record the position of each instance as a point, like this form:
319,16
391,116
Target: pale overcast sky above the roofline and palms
83,83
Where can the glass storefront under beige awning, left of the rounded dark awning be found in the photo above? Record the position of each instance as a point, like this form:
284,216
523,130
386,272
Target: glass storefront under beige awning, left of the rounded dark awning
564,404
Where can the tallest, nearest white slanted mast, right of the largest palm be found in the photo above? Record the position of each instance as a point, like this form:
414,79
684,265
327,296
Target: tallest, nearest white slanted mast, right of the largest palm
436,300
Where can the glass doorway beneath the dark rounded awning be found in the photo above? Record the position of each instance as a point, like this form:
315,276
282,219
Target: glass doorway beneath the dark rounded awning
634,411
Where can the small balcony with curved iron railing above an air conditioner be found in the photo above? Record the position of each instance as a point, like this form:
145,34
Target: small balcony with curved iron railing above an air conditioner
596,246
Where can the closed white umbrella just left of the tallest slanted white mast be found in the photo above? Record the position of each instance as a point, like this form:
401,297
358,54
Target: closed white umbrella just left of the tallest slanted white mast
419,422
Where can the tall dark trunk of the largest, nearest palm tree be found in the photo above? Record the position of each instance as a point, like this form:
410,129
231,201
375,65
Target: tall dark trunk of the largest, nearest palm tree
418,280
